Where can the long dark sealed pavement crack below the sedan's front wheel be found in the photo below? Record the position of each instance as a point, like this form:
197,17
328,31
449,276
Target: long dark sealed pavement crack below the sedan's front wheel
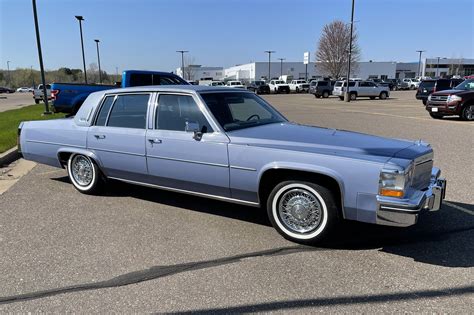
153,273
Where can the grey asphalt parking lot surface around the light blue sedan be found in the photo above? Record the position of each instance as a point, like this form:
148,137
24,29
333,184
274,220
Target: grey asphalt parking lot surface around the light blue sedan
136,249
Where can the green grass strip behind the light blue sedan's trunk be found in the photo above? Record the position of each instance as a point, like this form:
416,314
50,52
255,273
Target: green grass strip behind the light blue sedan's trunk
10,119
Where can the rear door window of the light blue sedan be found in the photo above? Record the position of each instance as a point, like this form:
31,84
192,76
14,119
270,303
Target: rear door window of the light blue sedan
129,111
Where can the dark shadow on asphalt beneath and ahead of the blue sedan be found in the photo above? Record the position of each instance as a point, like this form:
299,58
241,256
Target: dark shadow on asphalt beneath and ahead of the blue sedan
442,238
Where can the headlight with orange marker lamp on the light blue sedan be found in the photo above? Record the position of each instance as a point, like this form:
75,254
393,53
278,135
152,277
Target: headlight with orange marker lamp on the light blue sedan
394,183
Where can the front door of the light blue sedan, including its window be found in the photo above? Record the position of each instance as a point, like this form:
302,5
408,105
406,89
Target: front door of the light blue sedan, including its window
178,157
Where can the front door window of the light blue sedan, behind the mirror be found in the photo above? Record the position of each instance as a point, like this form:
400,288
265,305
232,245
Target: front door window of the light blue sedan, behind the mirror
175,110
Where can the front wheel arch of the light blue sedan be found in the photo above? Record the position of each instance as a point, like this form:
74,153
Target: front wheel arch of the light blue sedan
272,175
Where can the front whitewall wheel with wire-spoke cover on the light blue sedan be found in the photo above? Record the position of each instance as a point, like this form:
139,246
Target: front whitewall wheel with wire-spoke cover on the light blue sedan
326,216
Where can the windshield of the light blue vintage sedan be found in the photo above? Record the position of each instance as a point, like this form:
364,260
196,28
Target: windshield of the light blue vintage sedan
240,110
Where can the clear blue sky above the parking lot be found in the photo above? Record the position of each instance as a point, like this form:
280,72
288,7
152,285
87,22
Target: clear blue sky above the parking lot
145,34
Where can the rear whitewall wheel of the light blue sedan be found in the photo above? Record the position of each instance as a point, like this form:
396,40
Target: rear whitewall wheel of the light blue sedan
90,187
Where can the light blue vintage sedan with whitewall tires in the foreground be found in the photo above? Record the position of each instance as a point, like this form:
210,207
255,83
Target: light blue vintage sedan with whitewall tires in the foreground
231,145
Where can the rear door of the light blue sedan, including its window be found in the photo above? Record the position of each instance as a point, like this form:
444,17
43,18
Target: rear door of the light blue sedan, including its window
118,136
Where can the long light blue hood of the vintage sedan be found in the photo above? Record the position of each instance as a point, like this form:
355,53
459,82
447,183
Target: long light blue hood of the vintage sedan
295,137
